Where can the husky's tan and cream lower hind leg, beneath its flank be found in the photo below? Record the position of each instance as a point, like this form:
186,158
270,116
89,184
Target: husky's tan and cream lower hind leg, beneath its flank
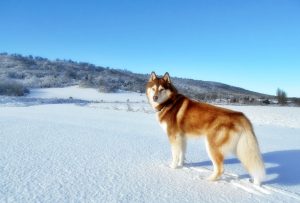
217,159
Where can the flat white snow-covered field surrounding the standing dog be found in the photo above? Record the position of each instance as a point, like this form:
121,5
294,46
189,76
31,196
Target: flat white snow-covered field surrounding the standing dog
77,145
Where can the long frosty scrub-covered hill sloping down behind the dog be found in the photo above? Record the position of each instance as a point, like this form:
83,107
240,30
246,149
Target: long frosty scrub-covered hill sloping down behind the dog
41,72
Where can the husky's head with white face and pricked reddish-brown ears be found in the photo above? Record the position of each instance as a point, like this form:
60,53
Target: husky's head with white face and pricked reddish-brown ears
159,89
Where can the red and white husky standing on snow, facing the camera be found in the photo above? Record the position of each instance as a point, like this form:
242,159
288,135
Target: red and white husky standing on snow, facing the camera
225,131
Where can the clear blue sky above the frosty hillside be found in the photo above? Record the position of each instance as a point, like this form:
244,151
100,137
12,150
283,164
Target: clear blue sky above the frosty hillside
251,44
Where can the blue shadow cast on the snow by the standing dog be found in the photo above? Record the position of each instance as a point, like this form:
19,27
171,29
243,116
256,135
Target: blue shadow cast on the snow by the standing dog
282,167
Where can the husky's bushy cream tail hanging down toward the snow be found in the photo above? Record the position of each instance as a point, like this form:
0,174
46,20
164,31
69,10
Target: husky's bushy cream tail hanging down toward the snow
249,154
